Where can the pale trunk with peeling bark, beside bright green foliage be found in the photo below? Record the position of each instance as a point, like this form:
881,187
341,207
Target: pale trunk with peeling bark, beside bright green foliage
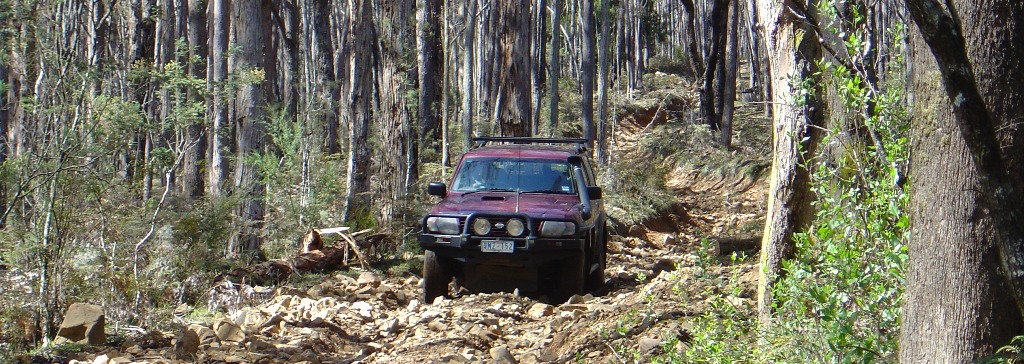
792,59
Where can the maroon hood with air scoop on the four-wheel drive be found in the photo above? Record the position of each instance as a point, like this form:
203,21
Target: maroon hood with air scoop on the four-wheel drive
534,206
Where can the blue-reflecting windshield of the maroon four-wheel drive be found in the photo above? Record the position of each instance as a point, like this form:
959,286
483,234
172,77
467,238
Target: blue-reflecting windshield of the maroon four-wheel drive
527,176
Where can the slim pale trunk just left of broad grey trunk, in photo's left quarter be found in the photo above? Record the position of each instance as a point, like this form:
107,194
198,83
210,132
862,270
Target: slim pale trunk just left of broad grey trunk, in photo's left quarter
220,11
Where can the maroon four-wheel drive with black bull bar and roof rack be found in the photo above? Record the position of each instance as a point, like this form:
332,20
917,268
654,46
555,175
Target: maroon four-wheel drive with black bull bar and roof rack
521,214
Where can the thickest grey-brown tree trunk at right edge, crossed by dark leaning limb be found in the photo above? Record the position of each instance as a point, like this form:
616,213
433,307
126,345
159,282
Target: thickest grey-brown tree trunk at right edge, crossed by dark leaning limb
966,245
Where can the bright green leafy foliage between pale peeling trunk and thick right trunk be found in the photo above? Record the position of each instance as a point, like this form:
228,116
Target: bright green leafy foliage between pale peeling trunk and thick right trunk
840,298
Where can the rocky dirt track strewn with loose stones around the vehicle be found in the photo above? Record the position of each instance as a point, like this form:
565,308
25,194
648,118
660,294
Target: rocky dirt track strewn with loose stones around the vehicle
376,319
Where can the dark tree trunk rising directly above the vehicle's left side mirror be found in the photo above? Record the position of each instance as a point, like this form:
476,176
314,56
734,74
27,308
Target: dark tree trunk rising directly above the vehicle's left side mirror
429,35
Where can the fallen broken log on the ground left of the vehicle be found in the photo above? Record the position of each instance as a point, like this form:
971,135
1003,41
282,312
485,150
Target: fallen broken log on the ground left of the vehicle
313,258
